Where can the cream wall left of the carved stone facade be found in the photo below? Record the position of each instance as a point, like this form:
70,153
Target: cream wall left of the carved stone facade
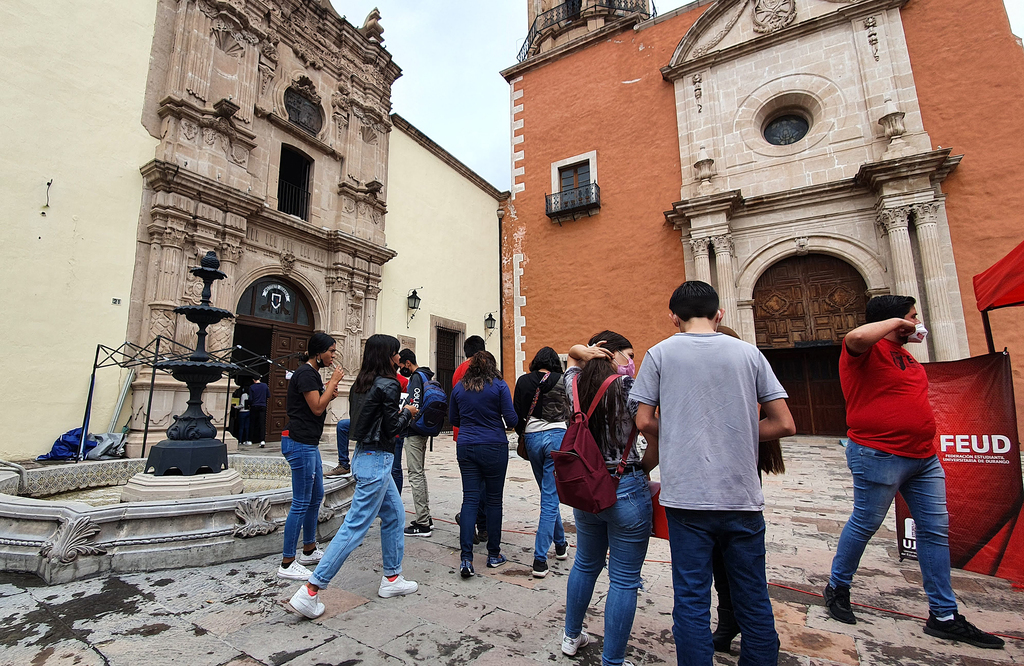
72,90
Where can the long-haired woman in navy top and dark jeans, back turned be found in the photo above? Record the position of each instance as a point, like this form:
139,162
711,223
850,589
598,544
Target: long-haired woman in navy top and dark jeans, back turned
482,408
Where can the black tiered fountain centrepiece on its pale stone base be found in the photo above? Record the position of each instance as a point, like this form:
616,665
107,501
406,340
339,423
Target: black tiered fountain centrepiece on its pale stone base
191,463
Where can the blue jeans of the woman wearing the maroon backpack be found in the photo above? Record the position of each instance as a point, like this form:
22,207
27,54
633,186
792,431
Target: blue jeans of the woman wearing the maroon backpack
622,533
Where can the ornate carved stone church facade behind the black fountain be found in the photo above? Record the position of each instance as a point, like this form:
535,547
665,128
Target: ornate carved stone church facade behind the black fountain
274,126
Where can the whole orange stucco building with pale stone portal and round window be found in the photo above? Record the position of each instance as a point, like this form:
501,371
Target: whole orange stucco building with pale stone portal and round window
800,156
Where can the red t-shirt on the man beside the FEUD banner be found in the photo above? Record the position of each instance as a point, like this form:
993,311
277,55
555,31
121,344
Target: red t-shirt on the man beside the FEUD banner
887,406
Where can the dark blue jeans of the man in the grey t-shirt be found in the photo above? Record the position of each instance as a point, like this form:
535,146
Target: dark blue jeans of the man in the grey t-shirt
741,535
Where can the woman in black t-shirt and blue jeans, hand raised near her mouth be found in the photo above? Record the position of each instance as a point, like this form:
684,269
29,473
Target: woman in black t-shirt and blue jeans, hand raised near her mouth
308,402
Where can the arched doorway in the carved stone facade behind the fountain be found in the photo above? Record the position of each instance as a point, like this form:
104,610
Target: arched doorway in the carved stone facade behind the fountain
274,319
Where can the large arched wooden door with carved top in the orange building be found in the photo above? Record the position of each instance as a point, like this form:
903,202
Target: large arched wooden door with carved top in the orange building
803,307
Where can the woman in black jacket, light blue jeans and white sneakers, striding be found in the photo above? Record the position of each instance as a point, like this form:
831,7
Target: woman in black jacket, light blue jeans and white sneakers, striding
376,420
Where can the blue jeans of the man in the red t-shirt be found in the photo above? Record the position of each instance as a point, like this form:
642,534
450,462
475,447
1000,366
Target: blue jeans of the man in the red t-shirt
877,478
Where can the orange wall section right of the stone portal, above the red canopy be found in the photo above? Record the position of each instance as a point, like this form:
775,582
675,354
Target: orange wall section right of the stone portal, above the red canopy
970,77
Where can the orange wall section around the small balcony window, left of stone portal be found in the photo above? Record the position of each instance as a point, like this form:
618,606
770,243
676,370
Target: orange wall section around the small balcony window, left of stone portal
618,269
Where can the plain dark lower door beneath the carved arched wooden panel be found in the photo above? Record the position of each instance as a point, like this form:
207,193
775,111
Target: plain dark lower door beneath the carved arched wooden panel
810,377
